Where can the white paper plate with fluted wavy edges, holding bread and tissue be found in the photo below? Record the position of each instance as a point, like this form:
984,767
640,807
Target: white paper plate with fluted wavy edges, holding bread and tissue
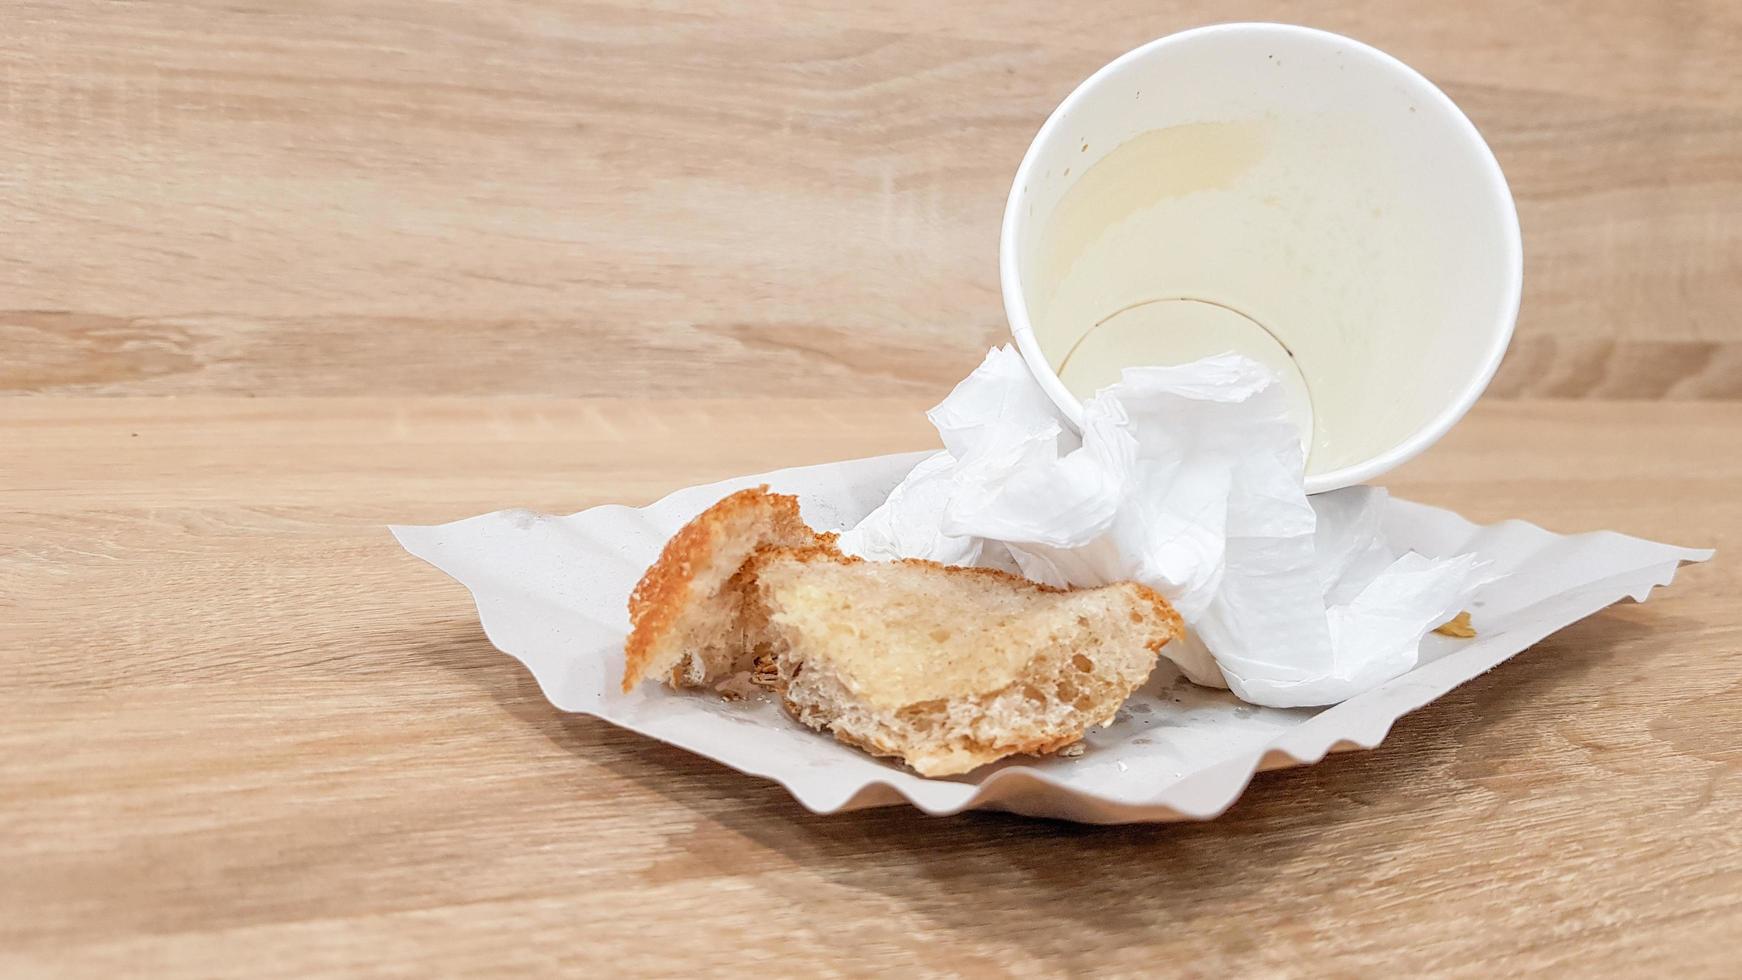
553,593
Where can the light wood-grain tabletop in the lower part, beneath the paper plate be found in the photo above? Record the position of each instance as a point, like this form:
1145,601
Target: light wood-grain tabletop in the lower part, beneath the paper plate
245,728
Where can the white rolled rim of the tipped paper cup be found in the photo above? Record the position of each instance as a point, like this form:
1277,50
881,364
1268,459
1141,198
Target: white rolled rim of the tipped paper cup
1016,309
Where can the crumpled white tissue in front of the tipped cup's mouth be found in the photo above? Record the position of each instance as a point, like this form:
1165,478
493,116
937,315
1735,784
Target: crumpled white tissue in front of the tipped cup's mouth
1187,480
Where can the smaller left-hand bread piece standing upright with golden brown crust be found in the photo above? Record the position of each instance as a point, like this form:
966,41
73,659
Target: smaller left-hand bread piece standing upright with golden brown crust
687,610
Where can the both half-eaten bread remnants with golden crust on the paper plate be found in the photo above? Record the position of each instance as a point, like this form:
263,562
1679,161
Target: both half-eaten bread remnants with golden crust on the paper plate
943,668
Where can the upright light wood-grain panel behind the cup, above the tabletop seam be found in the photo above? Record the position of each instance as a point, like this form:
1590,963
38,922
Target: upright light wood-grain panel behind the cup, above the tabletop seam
539,198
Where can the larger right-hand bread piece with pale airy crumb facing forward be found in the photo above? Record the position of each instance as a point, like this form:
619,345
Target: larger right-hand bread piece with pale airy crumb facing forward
949,668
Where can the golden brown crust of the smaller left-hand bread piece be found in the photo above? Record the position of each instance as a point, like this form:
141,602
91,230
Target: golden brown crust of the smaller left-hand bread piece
665,589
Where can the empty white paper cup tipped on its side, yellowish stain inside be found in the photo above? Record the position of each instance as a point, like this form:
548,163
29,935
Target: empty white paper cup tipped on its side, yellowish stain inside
1286,194
